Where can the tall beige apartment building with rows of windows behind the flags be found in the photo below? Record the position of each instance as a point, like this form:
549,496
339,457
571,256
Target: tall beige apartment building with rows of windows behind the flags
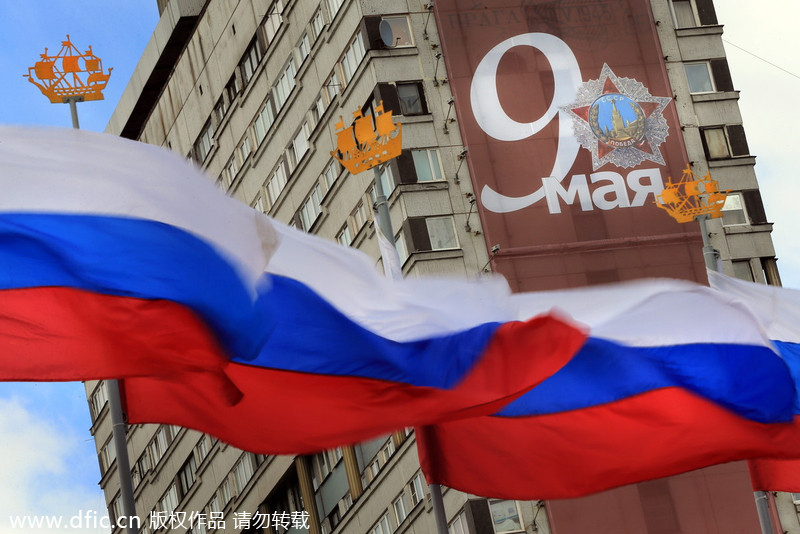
250,90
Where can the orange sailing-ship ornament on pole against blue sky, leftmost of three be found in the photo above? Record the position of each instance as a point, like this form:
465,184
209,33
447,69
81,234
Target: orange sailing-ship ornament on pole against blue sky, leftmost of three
69,74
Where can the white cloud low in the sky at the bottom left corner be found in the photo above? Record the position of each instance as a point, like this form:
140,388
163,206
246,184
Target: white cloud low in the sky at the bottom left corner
38,476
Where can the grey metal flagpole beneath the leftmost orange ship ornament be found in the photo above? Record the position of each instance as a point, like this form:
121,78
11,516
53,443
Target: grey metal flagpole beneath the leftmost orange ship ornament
118,426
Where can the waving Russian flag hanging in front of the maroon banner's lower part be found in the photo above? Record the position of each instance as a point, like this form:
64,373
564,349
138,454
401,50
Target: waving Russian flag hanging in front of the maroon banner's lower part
673,377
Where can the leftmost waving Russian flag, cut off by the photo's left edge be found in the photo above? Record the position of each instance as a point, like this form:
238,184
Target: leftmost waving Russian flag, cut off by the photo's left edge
117,260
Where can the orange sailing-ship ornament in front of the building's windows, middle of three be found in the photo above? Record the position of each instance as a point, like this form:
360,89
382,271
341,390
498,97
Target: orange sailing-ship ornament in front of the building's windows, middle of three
366,144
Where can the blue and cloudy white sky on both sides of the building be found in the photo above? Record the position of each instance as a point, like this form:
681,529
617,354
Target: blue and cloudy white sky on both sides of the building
48,464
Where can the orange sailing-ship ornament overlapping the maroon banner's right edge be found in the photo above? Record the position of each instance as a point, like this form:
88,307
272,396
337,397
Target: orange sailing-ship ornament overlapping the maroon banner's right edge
692,196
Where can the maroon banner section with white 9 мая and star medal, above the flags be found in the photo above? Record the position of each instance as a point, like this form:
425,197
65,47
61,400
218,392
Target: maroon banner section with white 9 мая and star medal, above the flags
571,129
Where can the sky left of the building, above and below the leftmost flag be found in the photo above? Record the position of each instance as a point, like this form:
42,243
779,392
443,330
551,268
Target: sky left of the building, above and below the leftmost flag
48,463
